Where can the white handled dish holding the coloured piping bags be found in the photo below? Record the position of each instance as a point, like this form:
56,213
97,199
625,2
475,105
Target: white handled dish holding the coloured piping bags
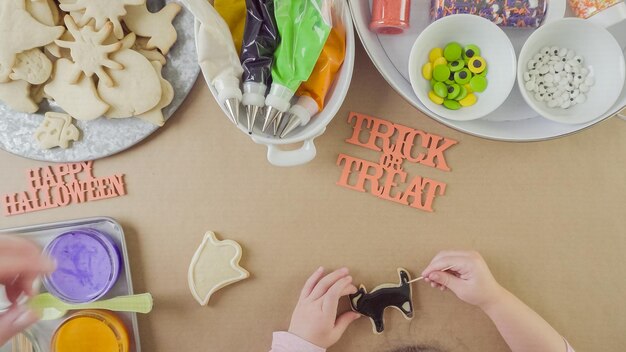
307,134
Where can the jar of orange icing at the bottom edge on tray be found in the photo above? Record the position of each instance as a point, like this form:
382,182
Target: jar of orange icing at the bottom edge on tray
93,331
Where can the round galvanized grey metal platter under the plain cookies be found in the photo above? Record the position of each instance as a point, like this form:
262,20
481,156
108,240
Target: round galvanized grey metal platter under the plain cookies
103,137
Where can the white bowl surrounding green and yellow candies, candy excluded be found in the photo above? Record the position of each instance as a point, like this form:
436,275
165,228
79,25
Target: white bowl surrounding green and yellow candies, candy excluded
495,47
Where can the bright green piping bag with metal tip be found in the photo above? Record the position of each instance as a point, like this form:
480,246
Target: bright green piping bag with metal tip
304,26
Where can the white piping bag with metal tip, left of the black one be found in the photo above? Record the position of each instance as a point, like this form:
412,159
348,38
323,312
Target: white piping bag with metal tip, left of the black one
217,55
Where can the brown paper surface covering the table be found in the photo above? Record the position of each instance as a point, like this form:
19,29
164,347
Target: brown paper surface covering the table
549,218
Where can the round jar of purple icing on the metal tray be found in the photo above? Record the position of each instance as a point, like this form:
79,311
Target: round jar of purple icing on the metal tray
88,265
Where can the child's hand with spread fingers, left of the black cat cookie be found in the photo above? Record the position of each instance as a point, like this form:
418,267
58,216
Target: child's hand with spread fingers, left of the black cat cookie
315,317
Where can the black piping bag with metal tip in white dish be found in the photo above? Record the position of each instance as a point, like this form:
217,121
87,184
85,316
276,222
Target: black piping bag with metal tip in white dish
257,55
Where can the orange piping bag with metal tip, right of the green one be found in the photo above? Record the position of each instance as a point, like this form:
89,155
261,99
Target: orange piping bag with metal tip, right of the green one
312,93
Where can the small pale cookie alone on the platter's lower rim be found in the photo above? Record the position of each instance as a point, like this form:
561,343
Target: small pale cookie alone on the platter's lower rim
56,130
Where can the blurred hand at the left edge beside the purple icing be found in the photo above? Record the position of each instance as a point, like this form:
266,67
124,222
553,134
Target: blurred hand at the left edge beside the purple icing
21,263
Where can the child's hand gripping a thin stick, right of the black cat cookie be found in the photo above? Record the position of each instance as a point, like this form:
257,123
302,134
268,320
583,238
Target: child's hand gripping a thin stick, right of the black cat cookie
469,278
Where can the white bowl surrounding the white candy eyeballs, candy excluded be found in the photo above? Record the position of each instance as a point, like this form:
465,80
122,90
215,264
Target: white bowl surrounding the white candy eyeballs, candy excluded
602,55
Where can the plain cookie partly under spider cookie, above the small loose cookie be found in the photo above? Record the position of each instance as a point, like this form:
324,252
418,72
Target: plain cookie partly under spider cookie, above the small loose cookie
79,99
